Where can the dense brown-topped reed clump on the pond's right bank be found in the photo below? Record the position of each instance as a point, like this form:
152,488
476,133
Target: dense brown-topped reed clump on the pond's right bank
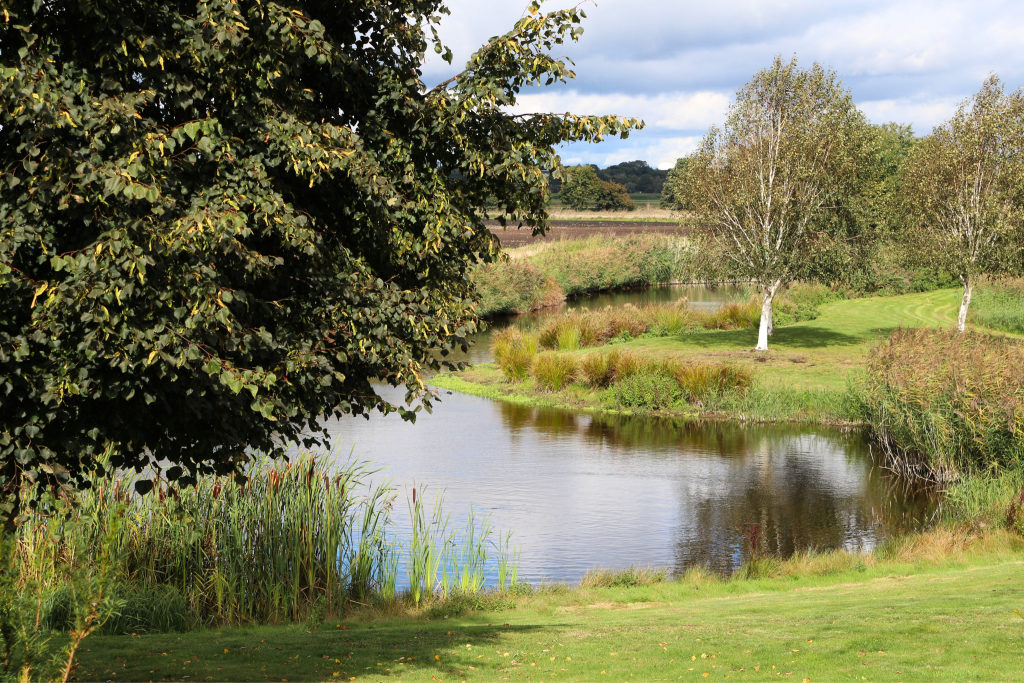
944,405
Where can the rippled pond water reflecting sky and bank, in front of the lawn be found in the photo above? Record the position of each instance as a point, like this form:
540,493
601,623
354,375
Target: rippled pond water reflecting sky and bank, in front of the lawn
585,491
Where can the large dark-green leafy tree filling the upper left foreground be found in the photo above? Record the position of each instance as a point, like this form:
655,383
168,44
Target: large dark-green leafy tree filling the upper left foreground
222,221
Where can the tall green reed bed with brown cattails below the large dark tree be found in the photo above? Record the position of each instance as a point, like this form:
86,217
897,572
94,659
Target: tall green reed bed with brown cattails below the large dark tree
296,541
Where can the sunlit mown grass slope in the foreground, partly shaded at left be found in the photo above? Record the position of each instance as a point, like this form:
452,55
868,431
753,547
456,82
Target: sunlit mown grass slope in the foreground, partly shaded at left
890,623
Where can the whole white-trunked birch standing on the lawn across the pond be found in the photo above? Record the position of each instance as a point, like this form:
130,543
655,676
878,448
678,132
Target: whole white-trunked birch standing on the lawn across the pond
765,184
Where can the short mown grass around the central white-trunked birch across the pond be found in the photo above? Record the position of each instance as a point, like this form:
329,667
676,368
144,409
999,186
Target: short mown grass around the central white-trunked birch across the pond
805,376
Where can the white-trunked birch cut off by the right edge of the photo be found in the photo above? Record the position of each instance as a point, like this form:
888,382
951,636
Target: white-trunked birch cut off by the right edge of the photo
963,189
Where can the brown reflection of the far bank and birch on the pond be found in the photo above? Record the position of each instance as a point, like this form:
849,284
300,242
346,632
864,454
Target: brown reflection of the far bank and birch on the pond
806,488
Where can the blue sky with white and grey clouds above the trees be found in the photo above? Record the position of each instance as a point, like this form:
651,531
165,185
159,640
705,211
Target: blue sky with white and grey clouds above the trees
677,65
